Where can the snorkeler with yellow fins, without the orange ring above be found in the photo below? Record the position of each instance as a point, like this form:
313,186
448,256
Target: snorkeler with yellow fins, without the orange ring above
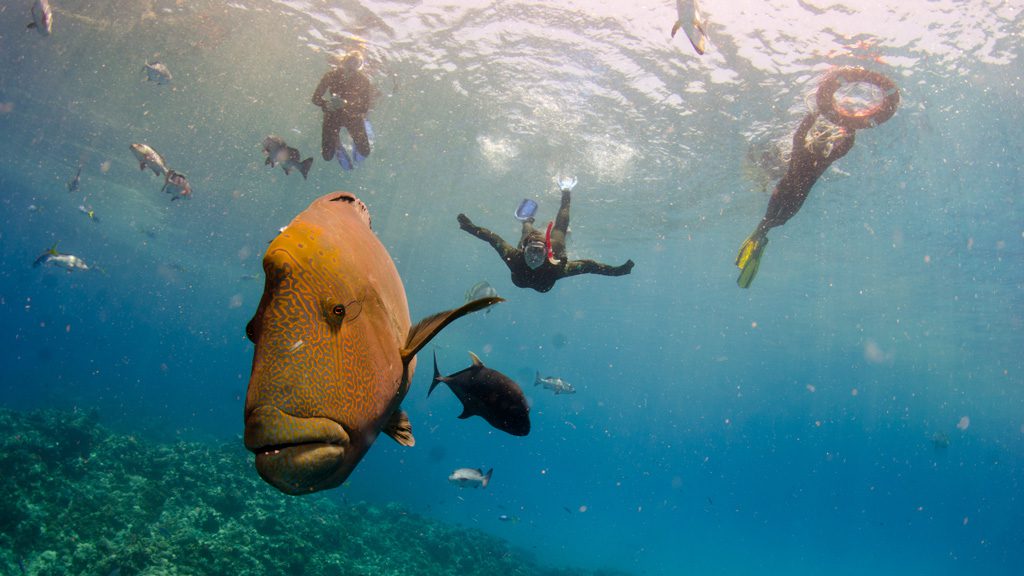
808,161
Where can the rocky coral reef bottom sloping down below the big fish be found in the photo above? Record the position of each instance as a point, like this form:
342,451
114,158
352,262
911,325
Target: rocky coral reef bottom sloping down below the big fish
79,500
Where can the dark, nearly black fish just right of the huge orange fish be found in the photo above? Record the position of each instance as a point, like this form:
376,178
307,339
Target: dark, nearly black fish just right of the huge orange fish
488,394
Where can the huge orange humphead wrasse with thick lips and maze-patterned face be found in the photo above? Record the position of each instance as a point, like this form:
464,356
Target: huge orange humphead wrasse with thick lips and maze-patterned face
335,350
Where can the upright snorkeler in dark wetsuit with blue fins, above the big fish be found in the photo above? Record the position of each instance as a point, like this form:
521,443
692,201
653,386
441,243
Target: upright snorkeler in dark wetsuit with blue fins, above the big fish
350,96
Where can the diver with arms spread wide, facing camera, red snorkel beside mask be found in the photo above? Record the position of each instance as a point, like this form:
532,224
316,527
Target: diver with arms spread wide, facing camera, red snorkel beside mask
531,263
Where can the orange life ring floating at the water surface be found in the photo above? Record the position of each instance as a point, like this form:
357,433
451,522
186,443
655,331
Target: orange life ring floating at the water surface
857,120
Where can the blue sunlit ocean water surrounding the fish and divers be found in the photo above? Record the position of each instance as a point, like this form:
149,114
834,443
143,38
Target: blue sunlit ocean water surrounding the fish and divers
861,409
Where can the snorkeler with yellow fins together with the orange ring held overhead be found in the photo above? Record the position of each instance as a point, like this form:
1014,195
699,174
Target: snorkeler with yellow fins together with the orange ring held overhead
822,139
